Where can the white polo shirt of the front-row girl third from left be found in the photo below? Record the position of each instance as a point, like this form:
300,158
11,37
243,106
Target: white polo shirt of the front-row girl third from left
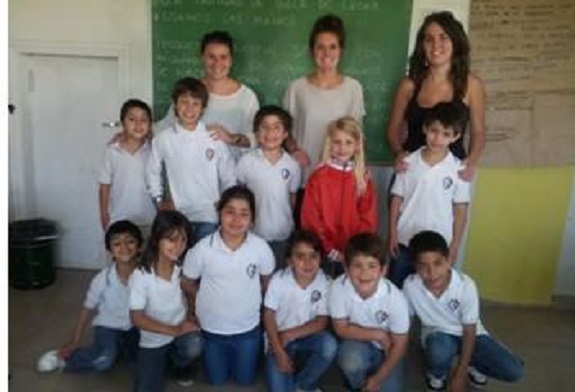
230,294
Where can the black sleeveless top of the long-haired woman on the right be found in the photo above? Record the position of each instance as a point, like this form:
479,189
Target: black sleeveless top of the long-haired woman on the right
415,114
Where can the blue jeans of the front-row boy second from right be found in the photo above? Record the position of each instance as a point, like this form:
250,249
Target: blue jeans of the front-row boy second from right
358,360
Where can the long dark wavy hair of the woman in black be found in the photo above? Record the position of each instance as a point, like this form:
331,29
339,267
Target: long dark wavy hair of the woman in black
460,59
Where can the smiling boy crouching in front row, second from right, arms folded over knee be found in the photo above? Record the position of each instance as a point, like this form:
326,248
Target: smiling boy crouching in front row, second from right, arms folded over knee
370,315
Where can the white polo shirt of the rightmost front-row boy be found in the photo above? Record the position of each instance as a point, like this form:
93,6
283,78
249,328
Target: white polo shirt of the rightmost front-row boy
457,306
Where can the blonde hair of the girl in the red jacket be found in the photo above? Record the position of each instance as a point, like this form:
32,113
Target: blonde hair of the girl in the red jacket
351,127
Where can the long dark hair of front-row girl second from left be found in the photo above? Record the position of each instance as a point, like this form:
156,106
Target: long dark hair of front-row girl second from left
165,225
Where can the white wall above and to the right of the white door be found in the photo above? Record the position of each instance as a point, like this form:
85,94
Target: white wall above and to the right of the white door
90,23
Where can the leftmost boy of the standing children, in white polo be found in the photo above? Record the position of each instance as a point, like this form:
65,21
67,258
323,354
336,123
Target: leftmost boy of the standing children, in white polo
122,191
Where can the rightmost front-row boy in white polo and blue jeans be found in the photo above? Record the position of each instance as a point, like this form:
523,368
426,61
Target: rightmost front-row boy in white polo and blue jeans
447,303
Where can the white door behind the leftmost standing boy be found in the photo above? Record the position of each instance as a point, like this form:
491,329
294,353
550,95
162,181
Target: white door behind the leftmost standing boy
67,100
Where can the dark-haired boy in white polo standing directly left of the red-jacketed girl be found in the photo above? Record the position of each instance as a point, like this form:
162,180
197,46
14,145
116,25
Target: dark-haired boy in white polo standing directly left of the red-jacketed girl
274,177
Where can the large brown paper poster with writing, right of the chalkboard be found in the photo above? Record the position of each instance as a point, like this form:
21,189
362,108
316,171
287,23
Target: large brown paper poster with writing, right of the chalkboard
524,50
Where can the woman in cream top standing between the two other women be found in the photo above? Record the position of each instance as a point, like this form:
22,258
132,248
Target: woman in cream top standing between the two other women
322,96
